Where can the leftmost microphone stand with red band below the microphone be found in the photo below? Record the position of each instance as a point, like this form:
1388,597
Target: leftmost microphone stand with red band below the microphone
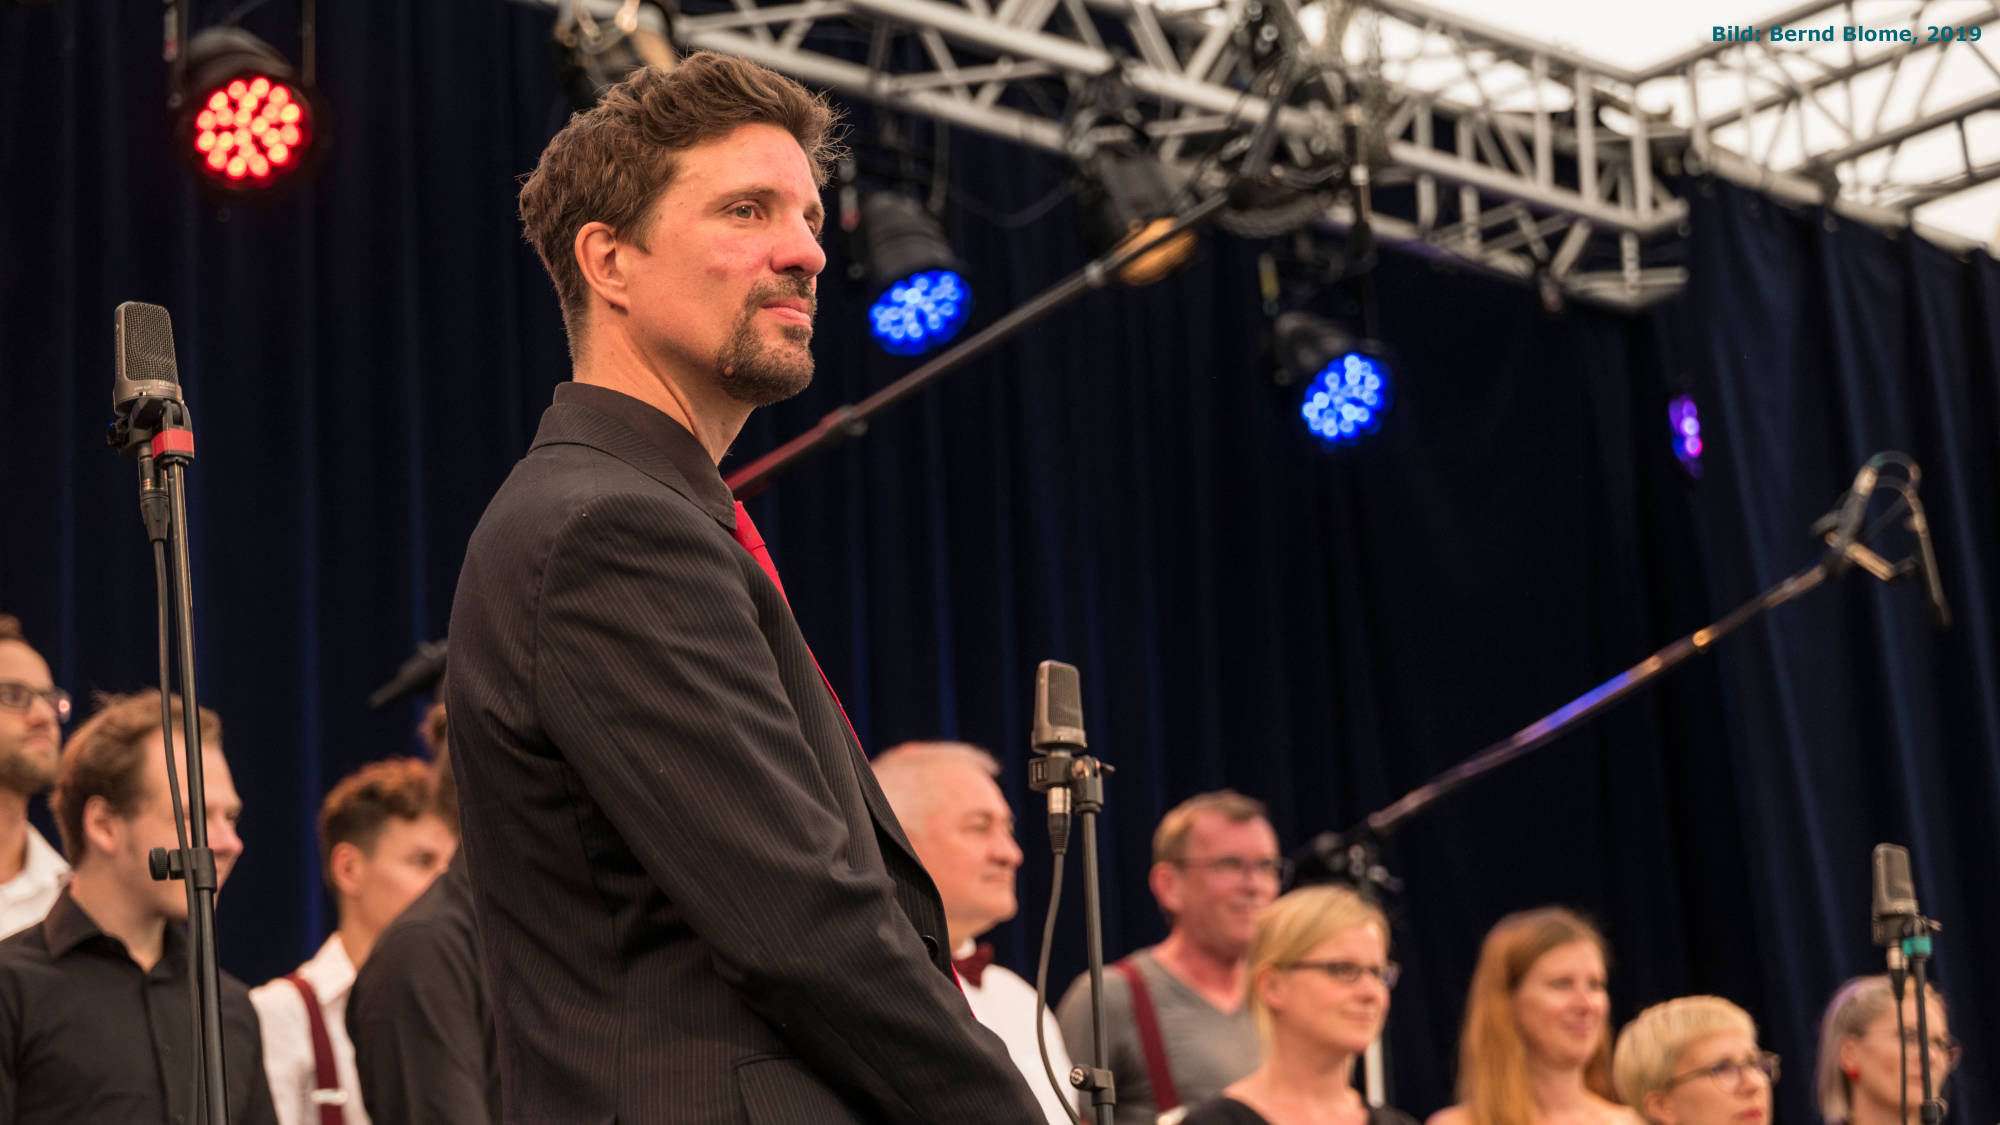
159,431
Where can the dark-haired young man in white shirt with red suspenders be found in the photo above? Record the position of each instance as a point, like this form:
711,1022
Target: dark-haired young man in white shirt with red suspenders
383,842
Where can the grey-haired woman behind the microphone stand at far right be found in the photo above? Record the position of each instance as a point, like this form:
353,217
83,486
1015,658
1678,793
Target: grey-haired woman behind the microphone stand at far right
1861,1054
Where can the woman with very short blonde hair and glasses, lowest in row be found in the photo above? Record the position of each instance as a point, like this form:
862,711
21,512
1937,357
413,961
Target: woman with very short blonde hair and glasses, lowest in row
1695,1062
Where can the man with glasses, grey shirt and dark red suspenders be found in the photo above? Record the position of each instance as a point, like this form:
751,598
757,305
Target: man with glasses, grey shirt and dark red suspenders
1175,1014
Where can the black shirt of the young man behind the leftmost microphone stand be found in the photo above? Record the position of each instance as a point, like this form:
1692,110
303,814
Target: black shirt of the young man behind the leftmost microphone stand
89,1038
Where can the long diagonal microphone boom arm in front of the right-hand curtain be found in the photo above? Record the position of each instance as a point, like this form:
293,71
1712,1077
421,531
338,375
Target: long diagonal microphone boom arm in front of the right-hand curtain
1357,852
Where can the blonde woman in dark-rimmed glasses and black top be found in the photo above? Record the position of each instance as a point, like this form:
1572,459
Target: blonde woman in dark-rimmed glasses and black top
1317,982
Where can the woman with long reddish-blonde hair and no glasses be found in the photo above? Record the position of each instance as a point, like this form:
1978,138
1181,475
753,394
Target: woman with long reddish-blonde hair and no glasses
1537,1040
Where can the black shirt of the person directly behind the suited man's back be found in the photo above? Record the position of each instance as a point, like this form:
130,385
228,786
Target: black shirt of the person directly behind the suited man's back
419,1018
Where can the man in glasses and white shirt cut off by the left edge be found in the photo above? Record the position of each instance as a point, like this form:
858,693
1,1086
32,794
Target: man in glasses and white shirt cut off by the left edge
33,712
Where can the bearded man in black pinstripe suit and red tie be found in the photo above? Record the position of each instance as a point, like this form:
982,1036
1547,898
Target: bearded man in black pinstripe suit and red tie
693,900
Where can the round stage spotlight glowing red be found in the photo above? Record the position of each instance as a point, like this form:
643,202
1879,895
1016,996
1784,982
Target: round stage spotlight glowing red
245,119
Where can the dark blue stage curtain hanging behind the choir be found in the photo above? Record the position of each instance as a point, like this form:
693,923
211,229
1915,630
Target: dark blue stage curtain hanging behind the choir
1121,489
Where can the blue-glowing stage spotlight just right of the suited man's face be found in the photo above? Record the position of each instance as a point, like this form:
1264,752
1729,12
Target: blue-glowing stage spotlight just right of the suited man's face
917,289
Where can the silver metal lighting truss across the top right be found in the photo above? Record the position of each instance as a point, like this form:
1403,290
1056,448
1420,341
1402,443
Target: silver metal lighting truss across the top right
1479,145
